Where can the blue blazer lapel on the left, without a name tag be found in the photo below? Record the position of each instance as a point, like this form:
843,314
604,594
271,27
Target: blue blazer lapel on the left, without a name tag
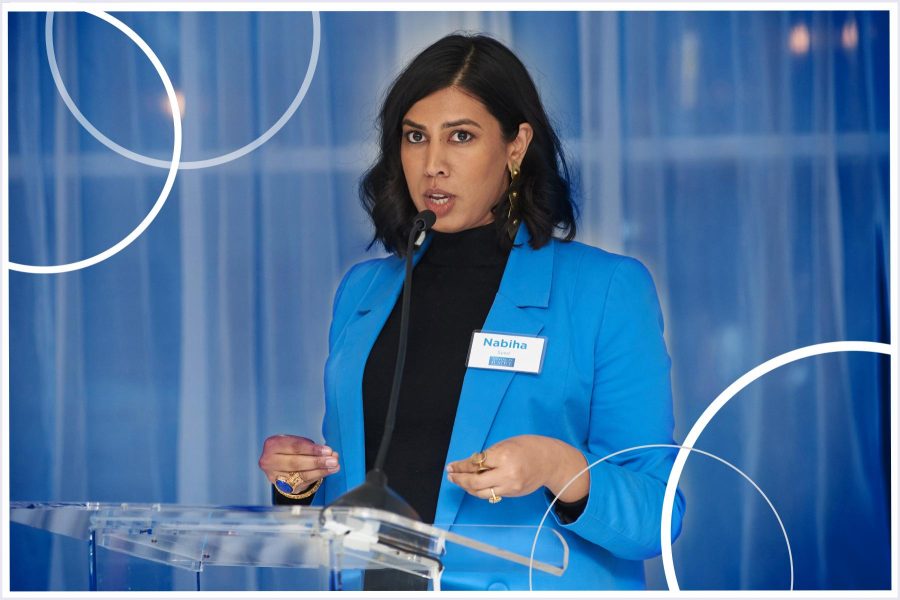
373,310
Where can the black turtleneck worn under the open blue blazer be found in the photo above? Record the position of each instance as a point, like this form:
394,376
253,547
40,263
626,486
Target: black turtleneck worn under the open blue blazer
454,285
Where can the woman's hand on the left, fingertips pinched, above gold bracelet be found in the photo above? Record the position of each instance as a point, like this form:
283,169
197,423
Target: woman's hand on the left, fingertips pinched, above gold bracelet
286,454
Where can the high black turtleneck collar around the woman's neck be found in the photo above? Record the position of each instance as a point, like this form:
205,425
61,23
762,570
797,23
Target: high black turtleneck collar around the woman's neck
476,247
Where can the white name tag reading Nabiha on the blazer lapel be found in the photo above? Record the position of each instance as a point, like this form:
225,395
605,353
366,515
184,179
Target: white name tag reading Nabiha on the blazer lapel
504,352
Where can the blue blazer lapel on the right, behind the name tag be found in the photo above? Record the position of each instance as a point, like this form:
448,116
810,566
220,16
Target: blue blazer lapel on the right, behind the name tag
525,284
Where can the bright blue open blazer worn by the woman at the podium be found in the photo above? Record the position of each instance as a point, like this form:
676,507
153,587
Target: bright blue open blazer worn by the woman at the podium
604,386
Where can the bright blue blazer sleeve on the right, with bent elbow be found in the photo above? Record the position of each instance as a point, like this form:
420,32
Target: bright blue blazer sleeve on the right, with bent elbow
631,405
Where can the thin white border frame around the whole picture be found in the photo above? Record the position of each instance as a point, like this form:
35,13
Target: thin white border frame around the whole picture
417,6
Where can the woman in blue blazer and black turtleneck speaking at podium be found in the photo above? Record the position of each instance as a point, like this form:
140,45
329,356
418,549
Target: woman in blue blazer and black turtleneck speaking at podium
464,134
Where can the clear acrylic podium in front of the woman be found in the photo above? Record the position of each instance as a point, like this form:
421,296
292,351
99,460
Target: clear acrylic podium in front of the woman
337,543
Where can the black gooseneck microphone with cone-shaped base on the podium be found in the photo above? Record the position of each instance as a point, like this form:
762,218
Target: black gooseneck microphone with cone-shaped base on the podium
375,493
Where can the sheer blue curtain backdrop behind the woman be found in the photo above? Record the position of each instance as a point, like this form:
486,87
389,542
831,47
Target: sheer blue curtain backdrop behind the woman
743,156
